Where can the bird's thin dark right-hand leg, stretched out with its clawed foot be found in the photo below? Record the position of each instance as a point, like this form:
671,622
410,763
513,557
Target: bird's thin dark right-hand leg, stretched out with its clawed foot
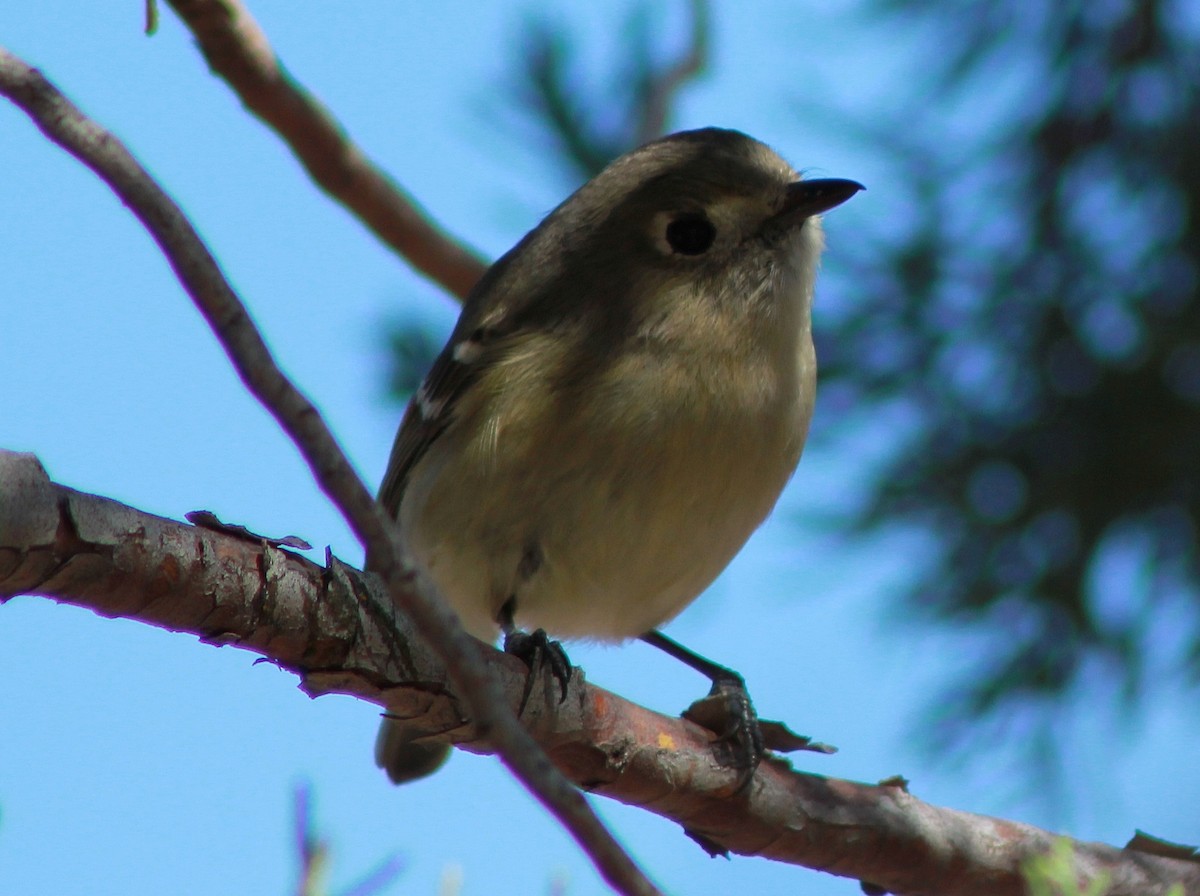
727,712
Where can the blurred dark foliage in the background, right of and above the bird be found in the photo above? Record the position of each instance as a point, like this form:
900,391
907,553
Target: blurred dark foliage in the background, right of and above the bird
1028,322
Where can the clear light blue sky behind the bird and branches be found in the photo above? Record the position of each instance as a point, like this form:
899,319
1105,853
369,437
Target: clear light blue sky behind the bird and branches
141,762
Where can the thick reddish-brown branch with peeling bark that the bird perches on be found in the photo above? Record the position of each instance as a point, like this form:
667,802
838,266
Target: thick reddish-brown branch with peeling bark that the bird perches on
323,624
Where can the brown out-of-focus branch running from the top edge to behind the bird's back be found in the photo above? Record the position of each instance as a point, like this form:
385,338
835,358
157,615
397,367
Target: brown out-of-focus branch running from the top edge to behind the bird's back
238,51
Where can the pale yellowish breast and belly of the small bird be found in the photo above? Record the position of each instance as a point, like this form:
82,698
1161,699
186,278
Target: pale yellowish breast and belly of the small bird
634,506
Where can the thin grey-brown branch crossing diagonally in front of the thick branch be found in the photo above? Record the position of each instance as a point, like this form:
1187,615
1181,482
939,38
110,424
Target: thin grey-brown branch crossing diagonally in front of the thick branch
225,312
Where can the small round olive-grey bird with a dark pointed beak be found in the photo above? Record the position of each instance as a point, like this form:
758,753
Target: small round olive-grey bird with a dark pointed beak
619,408
